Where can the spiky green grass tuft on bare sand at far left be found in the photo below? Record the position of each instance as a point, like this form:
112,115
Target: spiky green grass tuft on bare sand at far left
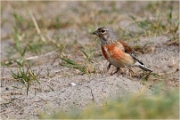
25,76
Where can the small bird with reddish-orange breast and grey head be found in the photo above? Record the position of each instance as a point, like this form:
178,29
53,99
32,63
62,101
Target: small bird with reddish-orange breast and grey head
117,52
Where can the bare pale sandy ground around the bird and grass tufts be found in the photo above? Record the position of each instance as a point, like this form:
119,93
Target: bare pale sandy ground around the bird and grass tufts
55,90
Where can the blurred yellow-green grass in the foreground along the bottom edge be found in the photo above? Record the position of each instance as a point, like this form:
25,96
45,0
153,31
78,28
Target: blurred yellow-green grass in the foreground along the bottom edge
159,105
